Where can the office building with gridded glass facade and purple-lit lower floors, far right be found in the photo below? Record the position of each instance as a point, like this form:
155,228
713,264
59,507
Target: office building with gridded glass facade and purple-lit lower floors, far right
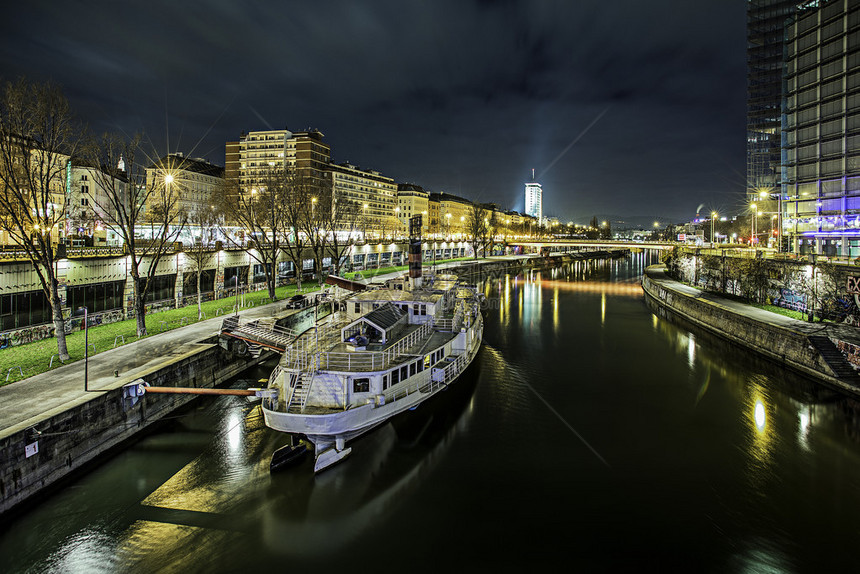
821,129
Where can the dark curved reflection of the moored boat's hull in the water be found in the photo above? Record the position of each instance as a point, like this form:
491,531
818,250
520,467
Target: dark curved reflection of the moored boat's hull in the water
387,465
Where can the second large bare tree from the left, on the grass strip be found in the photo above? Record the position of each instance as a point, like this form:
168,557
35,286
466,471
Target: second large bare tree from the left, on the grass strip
148,218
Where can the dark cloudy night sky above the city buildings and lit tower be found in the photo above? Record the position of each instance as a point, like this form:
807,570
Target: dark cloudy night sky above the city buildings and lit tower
625,108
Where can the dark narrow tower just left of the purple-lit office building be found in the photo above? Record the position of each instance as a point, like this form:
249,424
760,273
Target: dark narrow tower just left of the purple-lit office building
766,21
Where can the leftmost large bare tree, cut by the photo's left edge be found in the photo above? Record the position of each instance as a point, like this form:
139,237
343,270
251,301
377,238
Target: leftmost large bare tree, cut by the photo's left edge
37,138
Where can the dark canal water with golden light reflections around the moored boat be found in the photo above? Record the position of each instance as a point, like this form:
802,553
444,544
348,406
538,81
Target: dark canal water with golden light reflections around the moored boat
591,433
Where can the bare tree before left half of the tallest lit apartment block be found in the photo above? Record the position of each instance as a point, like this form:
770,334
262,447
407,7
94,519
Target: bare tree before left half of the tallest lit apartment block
257,212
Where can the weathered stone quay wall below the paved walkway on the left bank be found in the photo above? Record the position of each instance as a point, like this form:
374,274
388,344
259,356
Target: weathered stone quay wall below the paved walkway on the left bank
38,453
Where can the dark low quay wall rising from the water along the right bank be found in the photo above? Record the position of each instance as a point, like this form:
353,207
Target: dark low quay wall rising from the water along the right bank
788,347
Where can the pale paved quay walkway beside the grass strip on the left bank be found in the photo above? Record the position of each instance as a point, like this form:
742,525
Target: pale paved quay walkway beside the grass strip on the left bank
25,402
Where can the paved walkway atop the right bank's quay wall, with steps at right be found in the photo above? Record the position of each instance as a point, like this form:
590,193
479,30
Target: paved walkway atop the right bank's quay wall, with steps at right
820,334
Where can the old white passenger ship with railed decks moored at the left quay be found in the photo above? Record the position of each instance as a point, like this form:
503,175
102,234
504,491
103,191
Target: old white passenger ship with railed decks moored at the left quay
383,352
